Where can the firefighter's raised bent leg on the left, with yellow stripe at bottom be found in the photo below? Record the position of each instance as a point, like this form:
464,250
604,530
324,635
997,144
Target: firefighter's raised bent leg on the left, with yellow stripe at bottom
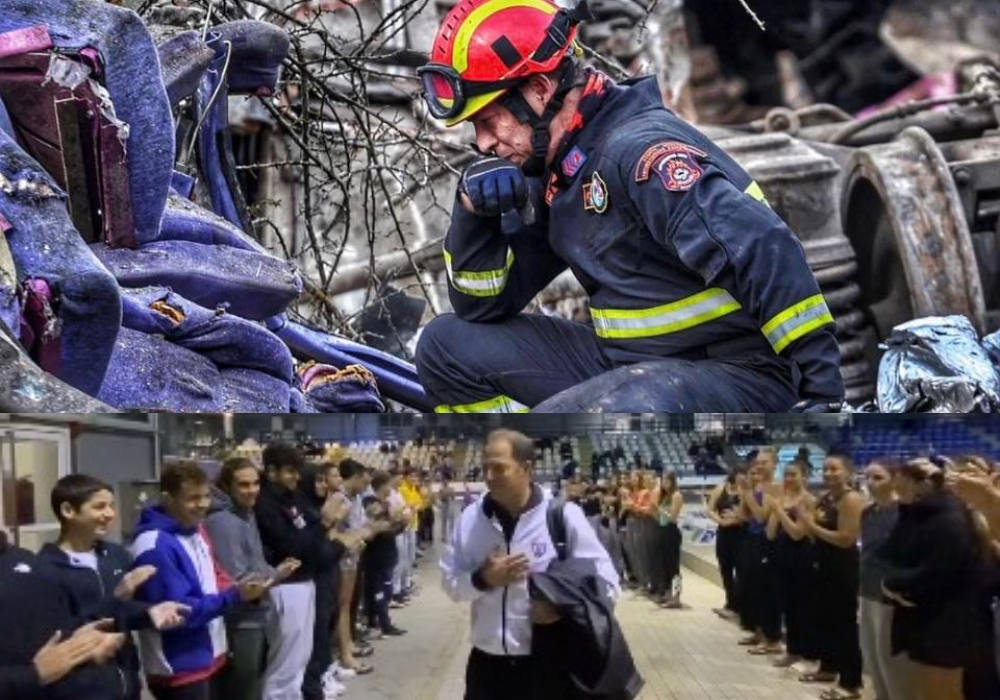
507,366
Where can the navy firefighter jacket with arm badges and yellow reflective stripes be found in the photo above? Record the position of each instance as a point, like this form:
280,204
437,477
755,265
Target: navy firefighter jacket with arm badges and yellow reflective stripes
672,240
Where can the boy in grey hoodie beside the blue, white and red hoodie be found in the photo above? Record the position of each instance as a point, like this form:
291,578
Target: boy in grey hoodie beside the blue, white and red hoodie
232,528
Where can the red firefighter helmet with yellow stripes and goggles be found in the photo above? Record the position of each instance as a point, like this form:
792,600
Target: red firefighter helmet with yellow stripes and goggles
486,47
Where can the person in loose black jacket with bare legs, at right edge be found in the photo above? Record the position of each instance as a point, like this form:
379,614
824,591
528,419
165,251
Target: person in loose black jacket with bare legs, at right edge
939,575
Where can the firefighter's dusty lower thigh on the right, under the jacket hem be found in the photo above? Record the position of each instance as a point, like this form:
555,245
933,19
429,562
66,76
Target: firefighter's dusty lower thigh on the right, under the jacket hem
673,385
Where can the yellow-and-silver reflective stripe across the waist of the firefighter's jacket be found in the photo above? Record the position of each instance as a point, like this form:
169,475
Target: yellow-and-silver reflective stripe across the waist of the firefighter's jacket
676,316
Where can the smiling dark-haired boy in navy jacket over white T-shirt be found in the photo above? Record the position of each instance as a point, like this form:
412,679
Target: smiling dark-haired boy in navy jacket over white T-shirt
95,579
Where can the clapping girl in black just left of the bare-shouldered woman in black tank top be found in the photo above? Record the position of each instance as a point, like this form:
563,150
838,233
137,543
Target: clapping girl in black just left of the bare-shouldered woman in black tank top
794,561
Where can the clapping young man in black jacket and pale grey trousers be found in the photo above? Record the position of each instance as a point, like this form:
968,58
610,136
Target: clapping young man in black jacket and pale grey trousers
291,529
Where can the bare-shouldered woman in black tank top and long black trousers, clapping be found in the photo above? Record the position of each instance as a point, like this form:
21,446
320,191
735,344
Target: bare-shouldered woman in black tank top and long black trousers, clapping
835,527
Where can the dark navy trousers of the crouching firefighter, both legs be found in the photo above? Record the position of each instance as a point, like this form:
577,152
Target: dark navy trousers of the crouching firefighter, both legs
555,365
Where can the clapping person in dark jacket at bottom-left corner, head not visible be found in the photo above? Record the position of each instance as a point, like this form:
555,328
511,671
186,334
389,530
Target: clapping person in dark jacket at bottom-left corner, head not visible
41,656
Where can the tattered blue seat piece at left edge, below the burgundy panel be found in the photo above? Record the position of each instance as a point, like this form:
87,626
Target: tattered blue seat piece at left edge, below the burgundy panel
44,245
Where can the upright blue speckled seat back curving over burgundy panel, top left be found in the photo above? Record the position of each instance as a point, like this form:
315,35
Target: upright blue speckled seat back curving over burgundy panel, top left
133,78
